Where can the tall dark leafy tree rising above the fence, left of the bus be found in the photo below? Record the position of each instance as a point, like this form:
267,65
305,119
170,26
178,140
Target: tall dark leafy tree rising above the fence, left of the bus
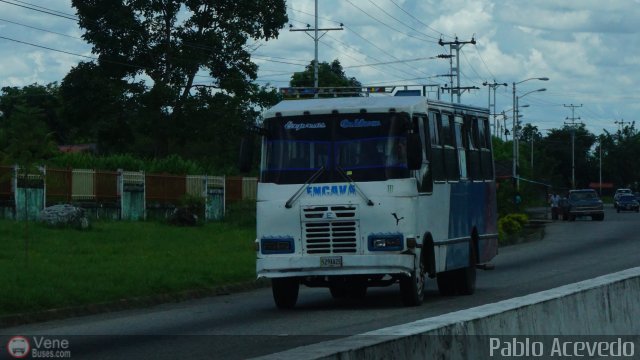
175,44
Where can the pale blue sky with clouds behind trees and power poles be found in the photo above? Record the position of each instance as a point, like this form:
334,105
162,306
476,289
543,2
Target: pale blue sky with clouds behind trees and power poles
589,49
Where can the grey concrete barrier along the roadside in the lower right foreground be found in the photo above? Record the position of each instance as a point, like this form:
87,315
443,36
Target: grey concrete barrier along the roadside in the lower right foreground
604,309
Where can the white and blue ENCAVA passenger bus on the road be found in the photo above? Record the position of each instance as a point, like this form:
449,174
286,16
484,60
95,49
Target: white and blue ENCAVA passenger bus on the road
356,192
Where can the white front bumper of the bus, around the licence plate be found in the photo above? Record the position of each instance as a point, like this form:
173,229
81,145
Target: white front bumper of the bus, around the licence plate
279,266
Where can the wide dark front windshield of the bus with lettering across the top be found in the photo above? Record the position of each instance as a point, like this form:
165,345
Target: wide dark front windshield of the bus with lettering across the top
366,147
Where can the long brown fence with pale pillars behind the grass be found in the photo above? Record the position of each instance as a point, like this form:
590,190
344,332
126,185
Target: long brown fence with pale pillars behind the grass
123,195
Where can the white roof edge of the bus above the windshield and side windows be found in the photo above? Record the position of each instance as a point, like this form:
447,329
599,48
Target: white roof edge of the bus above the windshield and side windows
373,104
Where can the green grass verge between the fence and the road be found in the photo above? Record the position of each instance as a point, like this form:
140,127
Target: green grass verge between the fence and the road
115,260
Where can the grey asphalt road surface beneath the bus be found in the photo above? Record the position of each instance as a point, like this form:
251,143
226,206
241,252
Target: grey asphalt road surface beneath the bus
248,324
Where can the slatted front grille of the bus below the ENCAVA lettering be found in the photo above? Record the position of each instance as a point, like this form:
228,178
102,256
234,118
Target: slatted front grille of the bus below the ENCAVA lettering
330,229
